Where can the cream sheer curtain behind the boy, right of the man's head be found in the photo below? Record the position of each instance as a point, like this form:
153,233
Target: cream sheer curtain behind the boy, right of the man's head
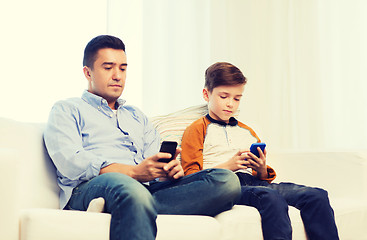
304,61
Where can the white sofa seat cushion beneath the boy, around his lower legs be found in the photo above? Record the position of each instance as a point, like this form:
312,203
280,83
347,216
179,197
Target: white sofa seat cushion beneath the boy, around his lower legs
350,217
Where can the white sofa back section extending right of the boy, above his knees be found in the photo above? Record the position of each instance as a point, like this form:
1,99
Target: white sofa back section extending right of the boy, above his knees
342,174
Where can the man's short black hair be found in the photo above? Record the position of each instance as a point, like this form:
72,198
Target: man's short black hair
97,43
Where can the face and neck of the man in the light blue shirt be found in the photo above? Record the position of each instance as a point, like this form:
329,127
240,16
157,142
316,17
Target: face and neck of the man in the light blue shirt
108,76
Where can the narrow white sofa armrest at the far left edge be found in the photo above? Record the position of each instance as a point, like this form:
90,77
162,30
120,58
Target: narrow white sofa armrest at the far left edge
8,187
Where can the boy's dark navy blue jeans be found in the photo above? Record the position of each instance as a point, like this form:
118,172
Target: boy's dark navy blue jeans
272,200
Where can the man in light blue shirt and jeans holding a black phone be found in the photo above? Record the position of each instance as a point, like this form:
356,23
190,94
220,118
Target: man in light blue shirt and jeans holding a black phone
104,148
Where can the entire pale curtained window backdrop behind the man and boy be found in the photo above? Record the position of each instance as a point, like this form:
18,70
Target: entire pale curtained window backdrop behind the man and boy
305,60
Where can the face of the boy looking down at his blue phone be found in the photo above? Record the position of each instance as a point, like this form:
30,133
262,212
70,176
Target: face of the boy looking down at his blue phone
223,101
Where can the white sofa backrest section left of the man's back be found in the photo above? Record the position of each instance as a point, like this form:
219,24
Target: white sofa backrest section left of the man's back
36,172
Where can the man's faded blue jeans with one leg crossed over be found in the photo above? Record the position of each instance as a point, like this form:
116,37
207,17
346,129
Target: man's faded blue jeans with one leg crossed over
134,206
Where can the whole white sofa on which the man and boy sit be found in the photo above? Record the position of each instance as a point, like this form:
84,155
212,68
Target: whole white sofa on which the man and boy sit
29,192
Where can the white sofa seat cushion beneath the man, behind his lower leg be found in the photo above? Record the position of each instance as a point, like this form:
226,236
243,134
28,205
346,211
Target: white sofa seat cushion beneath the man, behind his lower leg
36,224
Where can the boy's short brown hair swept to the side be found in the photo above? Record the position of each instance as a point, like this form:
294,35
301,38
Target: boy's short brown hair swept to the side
223,74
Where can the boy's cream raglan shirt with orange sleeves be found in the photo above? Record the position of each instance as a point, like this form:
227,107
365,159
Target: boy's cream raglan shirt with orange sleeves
220,141
